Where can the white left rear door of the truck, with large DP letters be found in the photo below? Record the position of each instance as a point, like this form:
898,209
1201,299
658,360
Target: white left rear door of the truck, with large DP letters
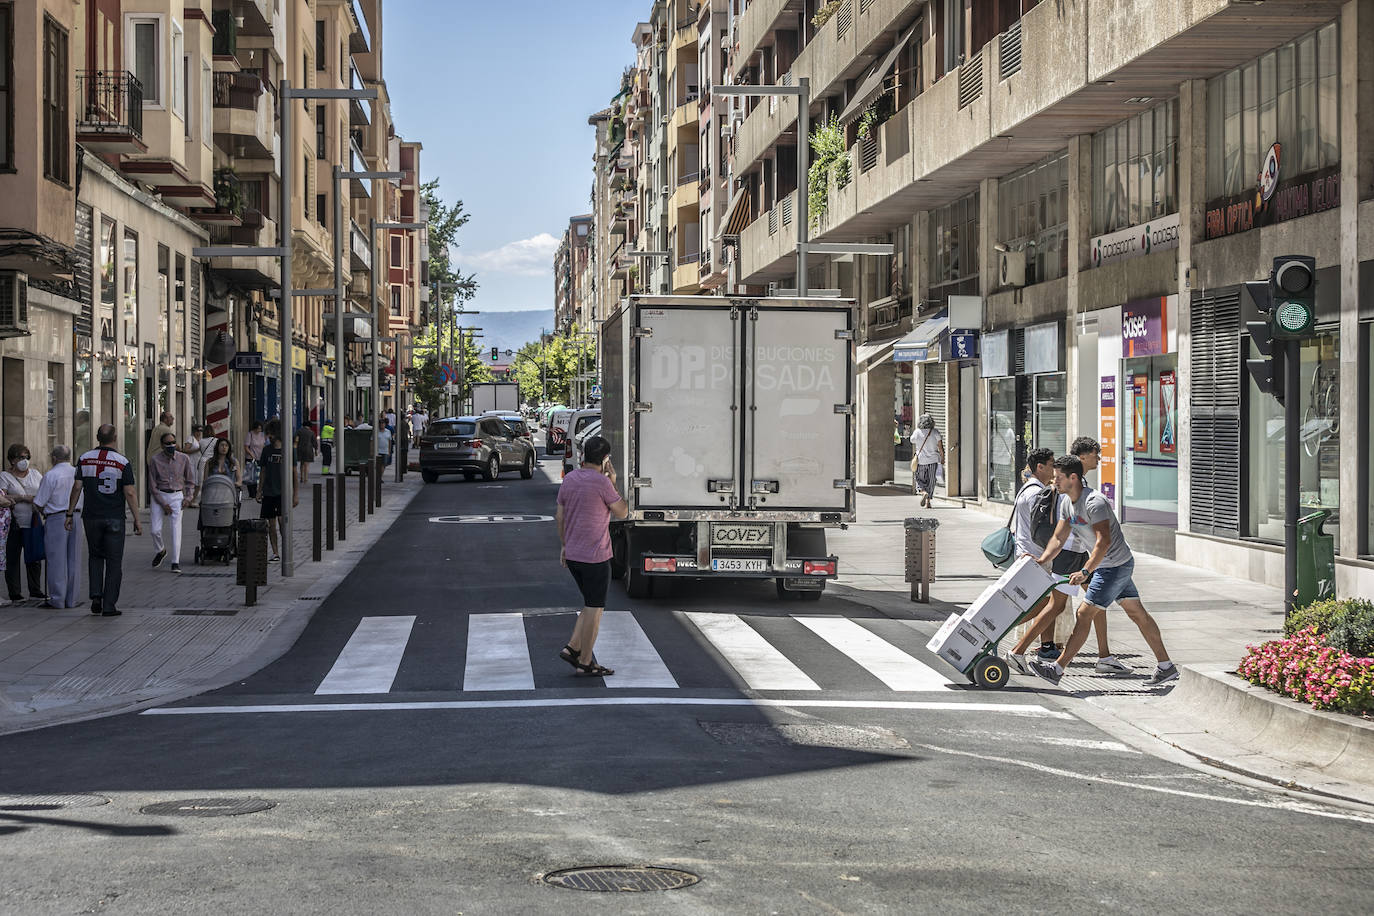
686,407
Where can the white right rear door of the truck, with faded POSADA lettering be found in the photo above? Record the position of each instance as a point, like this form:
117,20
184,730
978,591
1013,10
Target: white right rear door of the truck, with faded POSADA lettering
799,409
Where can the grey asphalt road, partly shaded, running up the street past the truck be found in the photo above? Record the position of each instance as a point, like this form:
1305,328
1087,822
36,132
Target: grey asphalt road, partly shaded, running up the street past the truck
476,762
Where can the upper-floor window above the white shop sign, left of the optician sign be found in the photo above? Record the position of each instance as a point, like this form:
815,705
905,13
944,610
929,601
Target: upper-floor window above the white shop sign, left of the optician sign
1136,170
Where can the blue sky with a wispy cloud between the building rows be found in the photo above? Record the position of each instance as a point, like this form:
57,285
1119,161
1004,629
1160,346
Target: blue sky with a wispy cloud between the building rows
499,95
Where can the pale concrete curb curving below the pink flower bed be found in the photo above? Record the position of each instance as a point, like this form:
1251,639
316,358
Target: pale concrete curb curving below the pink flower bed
1228,723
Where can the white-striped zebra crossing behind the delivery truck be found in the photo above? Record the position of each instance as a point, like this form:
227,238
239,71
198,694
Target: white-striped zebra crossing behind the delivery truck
758,654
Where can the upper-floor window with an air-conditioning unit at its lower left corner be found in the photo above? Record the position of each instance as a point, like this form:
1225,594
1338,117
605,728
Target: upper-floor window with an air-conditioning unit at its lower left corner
1034,218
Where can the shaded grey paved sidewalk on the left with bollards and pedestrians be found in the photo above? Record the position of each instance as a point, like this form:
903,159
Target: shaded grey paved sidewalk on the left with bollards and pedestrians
181,634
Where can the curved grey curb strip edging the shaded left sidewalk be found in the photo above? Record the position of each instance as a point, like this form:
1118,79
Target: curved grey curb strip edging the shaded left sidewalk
285,617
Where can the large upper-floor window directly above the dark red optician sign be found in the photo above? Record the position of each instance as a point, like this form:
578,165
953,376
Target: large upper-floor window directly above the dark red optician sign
1289,97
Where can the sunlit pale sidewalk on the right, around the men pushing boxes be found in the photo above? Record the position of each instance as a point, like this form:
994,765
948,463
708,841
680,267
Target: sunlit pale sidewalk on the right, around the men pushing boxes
1207,621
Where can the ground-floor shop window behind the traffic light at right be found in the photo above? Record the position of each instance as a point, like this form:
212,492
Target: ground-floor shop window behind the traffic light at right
1320,457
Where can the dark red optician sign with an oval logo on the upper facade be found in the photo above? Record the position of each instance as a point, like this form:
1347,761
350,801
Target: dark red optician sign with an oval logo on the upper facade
1274,198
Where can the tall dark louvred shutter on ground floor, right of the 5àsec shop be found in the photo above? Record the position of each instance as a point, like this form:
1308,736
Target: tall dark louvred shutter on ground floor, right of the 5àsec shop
1215,428
